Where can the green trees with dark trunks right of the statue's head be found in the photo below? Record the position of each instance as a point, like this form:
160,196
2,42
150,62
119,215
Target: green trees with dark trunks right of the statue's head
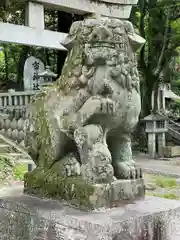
159,23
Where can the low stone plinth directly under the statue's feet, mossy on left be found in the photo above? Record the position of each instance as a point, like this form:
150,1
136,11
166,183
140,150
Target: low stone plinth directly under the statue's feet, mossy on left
79,193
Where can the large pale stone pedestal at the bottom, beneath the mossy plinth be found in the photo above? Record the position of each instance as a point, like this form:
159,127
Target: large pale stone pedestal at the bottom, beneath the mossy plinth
25,217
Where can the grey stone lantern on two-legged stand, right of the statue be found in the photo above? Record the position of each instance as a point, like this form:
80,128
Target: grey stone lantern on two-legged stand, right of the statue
156,127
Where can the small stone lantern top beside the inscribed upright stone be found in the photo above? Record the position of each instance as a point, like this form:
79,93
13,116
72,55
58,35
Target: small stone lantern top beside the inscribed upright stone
46,77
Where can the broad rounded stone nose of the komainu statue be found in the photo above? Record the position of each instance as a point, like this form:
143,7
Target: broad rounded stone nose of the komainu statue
101,33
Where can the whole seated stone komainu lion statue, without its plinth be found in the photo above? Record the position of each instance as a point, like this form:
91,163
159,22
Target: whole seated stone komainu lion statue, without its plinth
81,126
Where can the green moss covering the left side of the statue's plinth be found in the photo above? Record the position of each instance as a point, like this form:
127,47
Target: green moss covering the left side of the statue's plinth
51,184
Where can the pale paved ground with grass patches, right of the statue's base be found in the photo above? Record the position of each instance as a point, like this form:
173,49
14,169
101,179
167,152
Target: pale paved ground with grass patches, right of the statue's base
152,168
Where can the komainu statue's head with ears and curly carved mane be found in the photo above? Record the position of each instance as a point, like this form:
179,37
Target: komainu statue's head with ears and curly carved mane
93,43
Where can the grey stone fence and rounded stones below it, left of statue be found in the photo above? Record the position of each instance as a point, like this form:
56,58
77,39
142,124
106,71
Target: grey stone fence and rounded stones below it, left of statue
13,114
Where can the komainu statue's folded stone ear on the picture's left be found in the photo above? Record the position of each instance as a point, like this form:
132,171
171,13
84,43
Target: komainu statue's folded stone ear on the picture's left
71,37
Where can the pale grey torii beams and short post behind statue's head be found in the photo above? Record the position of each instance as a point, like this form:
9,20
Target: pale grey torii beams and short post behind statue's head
34,32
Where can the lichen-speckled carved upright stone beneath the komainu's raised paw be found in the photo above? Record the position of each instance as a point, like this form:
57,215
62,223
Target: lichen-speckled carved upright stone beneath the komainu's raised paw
94,154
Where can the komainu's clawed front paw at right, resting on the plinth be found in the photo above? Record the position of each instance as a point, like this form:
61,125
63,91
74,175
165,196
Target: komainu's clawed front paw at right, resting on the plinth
127,170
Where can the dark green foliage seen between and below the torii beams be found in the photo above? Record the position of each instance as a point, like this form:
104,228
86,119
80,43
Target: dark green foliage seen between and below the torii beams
13,56
